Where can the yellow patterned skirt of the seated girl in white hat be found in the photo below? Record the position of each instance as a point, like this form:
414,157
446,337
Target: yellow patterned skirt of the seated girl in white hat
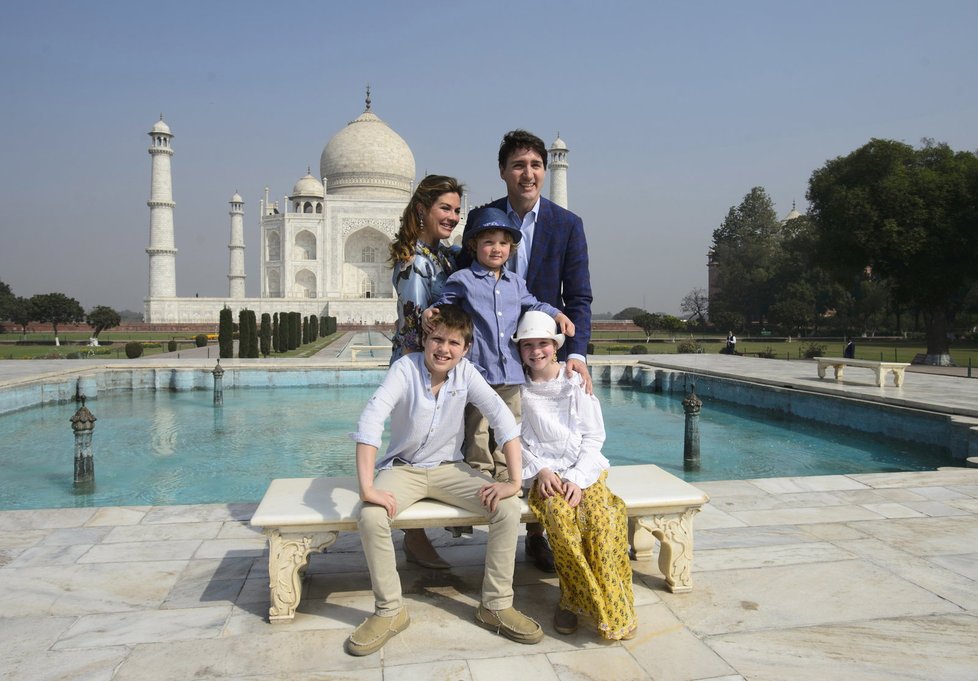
590,545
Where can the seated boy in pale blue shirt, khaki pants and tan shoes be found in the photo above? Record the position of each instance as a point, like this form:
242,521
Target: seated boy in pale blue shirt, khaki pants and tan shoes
425,394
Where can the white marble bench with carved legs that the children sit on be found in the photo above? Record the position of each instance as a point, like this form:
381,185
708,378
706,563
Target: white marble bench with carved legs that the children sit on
302,515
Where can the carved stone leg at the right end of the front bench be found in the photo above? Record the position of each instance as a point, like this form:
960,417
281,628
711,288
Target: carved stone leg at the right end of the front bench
675,535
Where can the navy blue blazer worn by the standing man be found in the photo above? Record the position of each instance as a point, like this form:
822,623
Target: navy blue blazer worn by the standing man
557,272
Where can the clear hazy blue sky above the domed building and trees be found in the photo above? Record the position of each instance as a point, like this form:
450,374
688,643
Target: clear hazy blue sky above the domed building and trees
672,112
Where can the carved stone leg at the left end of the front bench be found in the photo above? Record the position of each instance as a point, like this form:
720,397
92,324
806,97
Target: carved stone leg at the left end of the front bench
287,559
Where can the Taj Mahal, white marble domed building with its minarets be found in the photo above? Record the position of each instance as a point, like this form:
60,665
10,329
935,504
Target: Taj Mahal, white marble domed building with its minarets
324,249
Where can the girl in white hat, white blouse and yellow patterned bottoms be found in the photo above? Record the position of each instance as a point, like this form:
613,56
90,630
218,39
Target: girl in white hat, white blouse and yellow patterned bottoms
562,434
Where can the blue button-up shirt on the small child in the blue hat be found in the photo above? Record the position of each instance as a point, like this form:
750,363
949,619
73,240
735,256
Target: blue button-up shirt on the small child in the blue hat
495,306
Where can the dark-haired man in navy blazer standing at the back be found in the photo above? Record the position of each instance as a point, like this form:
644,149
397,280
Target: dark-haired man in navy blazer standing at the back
552,256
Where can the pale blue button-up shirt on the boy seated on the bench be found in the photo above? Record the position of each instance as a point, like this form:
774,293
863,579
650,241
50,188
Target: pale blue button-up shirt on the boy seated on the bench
426,430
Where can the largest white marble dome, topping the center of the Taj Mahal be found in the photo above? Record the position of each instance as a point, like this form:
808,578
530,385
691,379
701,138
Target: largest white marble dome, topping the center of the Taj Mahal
368,159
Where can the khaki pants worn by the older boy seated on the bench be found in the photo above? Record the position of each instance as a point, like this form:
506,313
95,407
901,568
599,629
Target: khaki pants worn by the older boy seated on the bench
454,483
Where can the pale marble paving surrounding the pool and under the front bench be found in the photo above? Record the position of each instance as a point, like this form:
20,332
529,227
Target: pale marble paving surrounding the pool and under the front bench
861,577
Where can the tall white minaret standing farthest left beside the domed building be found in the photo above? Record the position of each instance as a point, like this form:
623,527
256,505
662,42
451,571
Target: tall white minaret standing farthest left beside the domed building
162,254
